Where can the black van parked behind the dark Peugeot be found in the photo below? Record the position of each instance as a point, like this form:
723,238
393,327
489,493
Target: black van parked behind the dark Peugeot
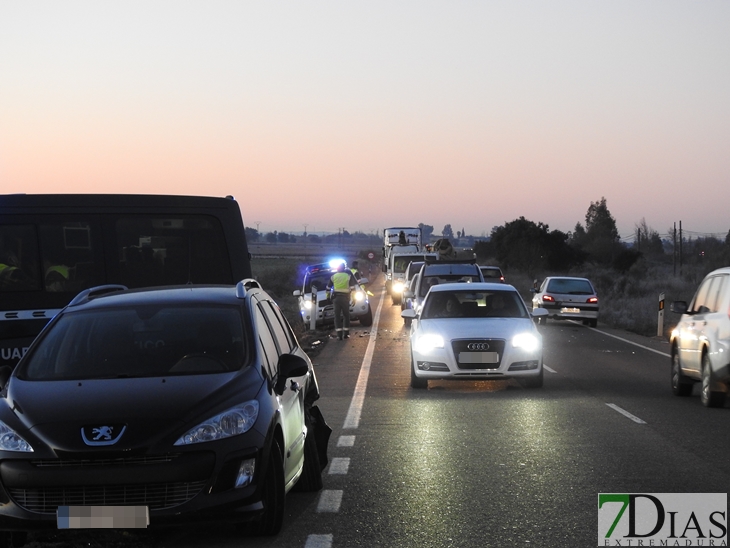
54,245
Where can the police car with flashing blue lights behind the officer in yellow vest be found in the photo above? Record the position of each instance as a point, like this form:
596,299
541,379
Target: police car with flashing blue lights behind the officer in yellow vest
316,278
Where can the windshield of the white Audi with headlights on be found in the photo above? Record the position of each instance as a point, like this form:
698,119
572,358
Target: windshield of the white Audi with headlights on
474,304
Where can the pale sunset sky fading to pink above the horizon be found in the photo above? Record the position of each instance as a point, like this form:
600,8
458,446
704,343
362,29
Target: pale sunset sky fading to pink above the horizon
365,115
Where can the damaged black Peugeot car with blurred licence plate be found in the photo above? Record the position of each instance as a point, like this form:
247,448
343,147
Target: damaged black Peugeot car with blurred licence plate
184,403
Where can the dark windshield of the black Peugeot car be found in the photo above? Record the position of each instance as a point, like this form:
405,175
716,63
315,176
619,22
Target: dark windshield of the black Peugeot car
139,342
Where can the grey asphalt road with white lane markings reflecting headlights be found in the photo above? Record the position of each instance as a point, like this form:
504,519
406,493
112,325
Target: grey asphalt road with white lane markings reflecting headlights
490,463
